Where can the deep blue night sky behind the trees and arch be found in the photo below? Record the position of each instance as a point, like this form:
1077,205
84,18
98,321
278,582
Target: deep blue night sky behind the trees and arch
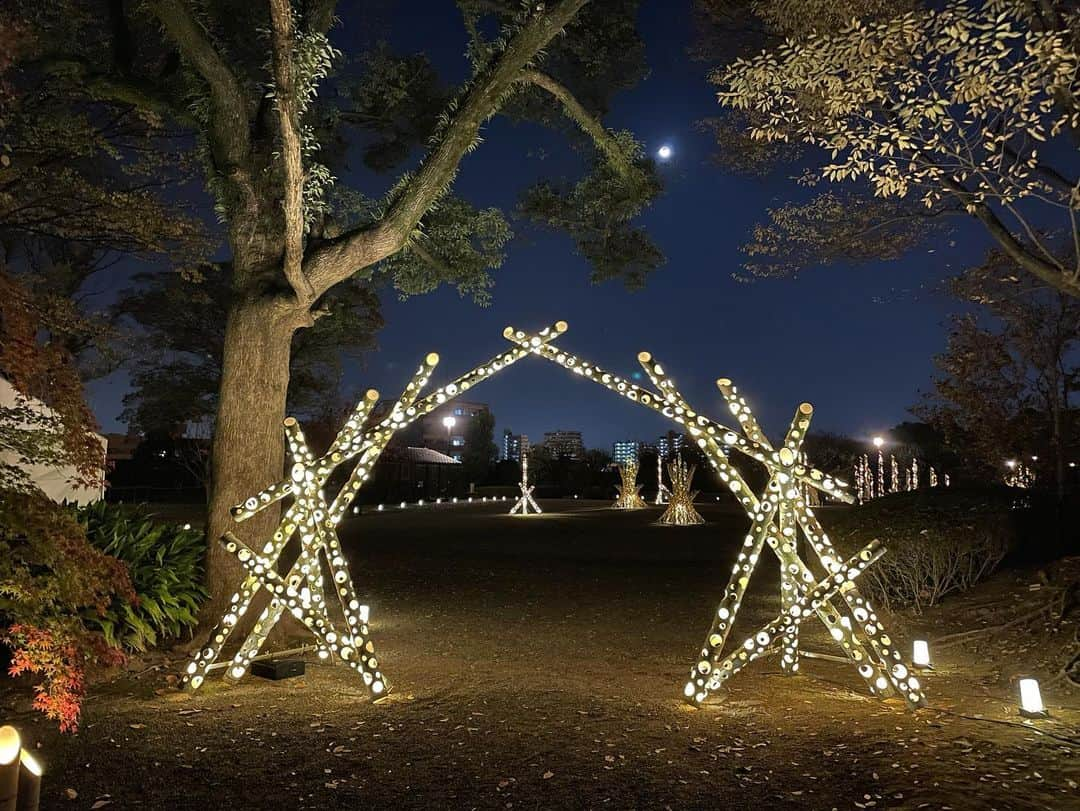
858,343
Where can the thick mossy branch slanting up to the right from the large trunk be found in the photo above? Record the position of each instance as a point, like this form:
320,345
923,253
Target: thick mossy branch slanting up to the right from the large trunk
340,259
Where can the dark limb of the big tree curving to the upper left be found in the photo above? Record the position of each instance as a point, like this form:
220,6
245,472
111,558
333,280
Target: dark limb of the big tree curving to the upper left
229,133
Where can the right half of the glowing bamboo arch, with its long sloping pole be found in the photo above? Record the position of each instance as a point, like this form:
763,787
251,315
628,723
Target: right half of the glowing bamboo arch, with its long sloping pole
777,518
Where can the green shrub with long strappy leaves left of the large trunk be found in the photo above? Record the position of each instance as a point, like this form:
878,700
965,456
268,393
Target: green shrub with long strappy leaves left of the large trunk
166,564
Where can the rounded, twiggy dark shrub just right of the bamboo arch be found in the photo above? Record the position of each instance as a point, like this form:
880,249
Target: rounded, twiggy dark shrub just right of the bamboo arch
938,542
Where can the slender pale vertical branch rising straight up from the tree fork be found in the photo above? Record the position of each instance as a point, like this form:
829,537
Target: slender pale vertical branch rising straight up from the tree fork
281,22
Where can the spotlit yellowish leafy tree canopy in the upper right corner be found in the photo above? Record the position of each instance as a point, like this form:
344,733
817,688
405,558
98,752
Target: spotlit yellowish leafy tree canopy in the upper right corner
927,111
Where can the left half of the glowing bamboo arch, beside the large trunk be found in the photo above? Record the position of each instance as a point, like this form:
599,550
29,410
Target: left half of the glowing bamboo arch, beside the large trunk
314,521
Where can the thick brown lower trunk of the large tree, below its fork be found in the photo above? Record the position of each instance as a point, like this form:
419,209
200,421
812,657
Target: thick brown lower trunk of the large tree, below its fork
249,442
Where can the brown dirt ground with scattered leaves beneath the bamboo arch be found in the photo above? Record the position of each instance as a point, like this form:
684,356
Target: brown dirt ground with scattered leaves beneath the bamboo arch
539,663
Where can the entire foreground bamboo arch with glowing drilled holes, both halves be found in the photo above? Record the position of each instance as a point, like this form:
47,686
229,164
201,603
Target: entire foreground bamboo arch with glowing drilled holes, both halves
777,518
